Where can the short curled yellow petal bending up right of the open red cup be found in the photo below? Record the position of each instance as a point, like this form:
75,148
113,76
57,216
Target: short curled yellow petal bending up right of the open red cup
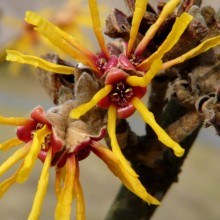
146,79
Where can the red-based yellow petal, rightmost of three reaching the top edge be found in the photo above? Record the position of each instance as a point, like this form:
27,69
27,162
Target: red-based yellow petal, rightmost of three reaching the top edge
167,9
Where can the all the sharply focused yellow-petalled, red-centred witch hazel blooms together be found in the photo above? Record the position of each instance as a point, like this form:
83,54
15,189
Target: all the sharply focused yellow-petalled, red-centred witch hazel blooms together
120,94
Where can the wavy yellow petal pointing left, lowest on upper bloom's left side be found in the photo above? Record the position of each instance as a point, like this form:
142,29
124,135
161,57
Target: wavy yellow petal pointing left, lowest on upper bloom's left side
38,62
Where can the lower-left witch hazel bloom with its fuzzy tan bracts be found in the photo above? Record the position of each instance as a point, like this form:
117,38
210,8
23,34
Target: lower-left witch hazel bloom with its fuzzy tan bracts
61,142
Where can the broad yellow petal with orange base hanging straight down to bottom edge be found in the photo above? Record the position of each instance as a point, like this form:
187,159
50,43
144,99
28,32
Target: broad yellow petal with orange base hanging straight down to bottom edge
63,208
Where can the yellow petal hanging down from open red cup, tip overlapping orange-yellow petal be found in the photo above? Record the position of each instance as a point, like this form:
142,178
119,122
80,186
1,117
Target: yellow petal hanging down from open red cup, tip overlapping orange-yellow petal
114,143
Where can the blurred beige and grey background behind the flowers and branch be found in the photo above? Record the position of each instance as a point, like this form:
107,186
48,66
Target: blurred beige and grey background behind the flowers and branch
195,196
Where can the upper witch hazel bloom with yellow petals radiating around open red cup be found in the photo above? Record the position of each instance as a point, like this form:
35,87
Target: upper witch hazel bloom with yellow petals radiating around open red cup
125,72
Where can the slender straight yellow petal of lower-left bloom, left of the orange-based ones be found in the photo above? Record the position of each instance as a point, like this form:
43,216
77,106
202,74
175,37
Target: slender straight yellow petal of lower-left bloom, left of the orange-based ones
41,188
